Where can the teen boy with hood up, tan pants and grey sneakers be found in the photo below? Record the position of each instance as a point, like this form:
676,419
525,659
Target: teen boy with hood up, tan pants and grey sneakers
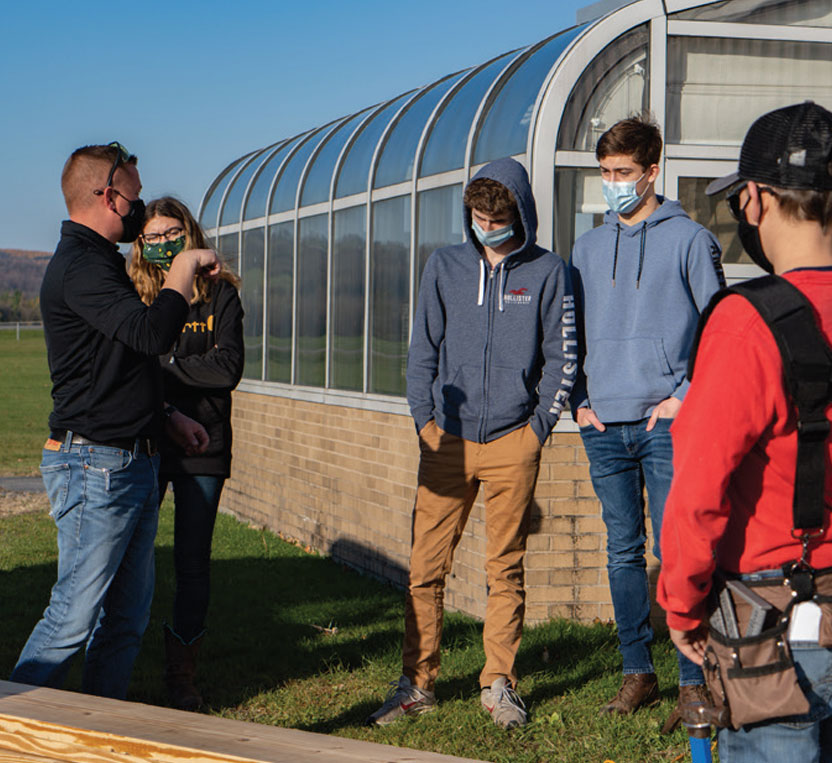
492,361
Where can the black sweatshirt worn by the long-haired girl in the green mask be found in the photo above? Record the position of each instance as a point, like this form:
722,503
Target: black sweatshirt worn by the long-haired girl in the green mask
206,363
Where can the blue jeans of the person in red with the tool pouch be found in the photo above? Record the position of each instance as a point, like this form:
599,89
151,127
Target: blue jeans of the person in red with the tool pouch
807,738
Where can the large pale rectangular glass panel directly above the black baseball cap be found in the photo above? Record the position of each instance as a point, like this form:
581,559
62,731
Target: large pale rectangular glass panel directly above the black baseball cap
717,87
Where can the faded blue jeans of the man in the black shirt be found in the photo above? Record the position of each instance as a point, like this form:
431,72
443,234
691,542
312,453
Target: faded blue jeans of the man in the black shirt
105,505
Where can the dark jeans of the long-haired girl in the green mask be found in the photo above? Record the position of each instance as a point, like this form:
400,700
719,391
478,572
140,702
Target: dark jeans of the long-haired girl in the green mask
196,498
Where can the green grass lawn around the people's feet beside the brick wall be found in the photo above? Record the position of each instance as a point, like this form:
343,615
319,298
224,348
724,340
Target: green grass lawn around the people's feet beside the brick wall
268,660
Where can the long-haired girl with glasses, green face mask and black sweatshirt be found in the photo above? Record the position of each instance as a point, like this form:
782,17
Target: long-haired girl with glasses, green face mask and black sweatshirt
199,372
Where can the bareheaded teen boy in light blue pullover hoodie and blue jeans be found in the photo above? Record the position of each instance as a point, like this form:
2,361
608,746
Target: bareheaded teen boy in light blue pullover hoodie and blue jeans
640,279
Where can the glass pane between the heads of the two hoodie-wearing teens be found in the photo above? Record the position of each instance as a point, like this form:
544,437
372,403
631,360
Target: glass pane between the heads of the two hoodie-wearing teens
579,206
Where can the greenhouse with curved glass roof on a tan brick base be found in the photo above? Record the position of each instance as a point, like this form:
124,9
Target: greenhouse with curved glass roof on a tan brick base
330,229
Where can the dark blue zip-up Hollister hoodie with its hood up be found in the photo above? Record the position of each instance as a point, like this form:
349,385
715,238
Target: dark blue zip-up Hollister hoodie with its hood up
493,348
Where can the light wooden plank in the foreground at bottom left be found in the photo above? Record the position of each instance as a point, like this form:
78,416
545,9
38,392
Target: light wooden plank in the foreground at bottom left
39,725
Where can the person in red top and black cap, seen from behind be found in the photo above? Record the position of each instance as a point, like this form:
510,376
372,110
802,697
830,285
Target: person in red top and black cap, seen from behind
735,438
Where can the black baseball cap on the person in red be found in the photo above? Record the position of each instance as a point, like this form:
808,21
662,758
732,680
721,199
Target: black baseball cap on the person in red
787,148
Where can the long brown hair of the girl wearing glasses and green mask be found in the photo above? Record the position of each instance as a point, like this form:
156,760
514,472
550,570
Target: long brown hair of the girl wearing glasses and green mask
148,278
